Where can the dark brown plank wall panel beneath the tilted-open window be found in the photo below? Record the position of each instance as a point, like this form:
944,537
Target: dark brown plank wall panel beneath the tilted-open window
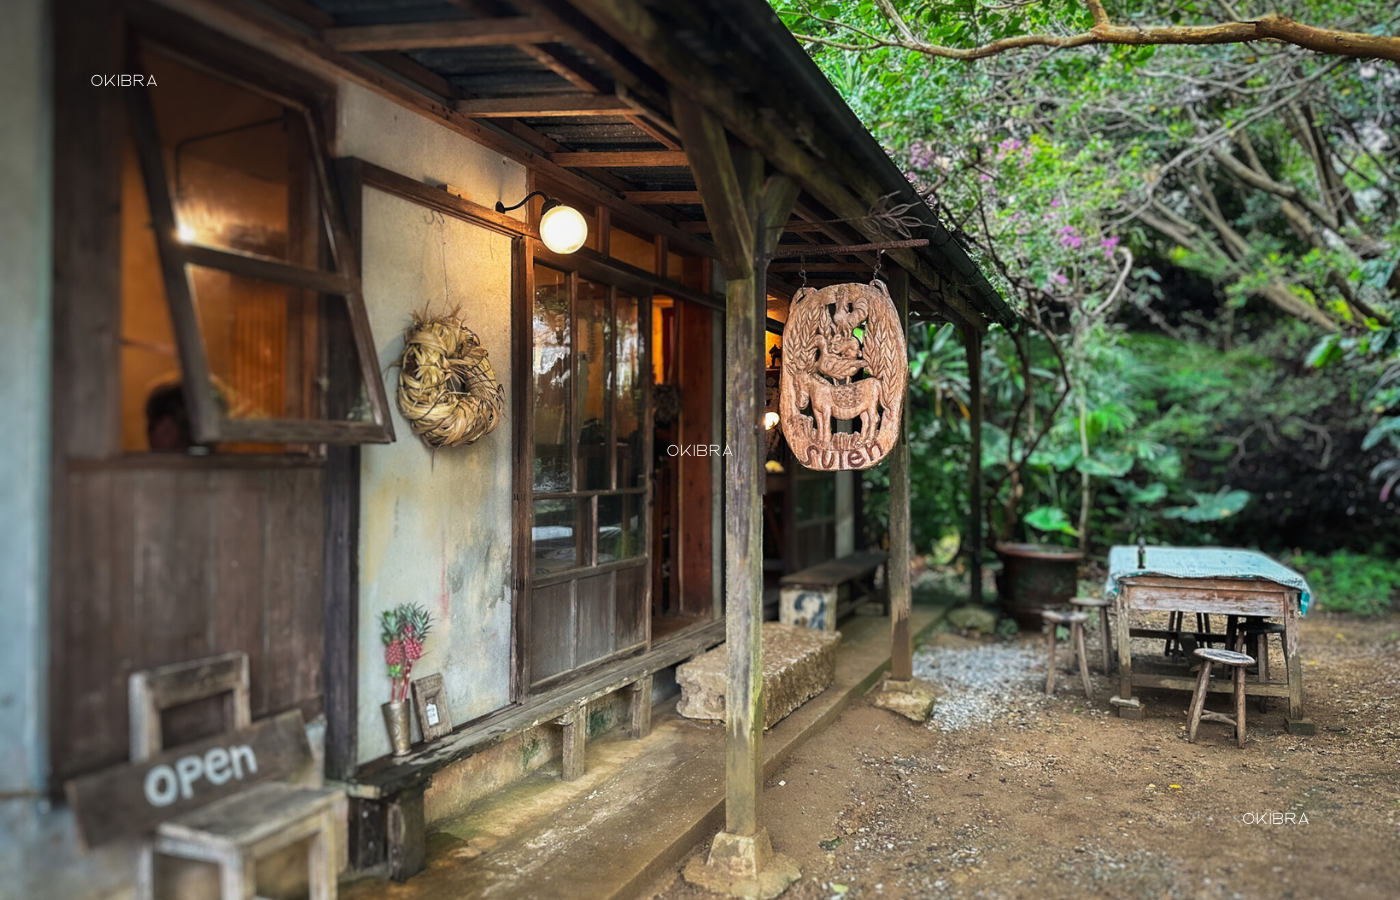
167,565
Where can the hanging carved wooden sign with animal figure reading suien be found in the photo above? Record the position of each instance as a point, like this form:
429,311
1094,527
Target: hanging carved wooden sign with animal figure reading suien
843,360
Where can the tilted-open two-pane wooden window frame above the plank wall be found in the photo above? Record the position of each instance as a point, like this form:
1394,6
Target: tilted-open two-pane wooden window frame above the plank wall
208,421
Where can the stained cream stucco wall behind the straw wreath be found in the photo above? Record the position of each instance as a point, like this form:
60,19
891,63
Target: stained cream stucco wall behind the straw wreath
435,528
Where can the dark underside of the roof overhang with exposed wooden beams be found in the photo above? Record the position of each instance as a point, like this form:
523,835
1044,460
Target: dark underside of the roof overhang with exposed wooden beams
768,94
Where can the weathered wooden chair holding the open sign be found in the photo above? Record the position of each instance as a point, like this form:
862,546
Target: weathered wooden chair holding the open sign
239,831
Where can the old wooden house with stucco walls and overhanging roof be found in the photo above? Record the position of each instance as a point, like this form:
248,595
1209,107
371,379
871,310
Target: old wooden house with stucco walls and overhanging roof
222,216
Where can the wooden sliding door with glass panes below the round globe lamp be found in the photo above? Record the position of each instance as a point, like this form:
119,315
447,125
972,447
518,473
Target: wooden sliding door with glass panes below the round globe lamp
590,475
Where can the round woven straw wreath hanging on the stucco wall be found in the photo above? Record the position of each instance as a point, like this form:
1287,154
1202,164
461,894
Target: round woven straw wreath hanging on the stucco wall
447,388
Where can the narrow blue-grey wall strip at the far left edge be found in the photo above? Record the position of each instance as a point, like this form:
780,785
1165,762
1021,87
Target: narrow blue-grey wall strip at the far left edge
38,850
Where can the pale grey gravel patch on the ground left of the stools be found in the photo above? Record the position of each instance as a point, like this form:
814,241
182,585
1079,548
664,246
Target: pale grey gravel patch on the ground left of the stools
982,685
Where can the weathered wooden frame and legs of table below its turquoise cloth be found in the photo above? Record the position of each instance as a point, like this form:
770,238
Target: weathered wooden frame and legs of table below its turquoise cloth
1214,596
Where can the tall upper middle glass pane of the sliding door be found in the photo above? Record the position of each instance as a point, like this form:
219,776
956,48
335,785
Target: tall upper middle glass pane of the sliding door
591,362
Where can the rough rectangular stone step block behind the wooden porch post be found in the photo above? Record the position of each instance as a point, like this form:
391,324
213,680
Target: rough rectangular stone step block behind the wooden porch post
799,664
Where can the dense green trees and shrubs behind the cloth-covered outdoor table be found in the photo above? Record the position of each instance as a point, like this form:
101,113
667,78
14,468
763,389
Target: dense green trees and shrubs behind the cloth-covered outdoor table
1233,426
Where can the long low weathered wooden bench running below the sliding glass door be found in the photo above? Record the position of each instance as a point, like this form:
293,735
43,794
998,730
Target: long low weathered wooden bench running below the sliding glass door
387,820
